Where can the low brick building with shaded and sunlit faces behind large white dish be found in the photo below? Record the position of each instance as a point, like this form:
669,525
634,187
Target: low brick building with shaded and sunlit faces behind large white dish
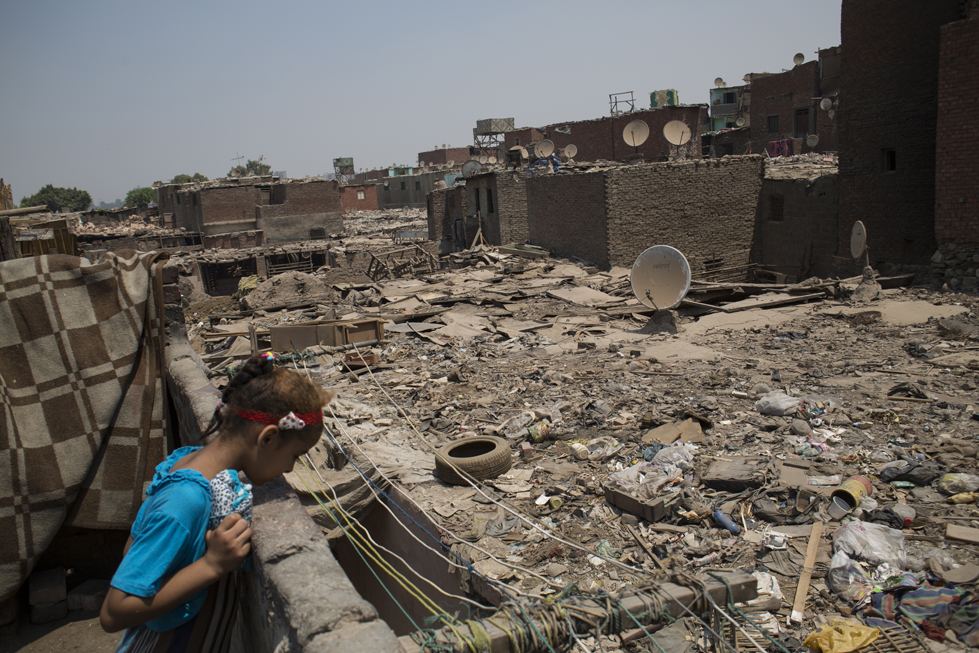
707,209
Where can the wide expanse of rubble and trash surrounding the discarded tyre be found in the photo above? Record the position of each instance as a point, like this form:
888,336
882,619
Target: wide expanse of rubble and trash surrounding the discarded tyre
826,447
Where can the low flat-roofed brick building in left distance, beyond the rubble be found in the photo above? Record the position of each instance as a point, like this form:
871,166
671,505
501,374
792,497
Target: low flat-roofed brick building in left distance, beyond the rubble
291,210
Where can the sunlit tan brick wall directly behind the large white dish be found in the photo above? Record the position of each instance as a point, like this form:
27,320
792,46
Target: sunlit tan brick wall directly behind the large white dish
706,209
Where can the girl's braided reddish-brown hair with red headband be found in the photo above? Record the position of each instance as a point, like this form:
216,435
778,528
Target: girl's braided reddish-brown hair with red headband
260,386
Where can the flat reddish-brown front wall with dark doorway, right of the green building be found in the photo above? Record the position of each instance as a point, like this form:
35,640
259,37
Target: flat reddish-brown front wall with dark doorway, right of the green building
781,95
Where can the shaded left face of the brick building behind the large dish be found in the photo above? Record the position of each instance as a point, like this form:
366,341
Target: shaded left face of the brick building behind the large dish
566,214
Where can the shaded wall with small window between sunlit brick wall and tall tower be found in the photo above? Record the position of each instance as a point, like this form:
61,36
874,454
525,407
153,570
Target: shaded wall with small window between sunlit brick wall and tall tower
801,239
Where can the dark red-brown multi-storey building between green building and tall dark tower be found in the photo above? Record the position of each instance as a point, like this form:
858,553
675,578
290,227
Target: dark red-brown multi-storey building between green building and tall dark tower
785,108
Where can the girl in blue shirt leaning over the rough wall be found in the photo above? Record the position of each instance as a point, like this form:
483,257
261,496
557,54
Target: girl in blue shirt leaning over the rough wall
267,418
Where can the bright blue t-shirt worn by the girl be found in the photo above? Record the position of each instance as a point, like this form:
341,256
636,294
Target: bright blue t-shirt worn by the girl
168,535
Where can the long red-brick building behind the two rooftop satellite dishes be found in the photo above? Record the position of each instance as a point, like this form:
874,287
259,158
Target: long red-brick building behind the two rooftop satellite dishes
601,138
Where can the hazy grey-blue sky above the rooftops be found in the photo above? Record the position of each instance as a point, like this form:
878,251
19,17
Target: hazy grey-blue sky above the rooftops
111,95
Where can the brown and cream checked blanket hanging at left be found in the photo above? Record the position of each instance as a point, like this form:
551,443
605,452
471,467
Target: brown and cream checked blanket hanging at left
81,411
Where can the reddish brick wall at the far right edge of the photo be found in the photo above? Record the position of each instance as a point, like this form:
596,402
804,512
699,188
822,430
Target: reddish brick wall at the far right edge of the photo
957,169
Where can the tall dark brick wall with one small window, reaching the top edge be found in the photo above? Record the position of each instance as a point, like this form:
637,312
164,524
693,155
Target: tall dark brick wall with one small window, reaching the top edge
888,101
